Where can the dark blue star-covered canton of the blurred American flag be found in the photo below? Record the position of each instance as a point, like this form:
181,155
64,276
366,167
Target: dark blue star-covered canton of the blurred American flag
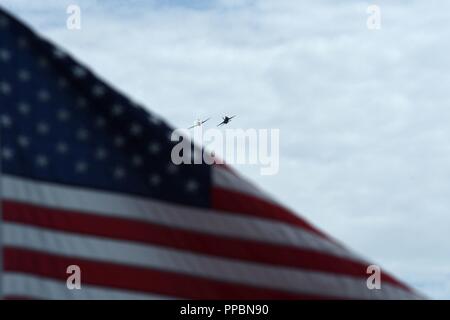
61,124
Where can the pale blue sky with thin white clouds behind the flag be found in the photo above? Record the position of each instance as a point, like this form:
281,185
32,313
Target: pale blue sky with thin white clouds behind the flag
363,115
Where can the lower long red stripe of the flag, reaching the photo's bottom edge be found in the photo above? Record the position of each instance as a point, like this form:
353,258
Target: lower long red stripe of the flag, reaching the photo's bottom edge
136,279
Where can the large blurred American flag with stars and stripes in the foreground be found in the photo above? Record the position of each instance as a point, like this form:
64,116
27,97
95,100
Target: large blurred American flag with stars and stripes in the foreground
87,180
